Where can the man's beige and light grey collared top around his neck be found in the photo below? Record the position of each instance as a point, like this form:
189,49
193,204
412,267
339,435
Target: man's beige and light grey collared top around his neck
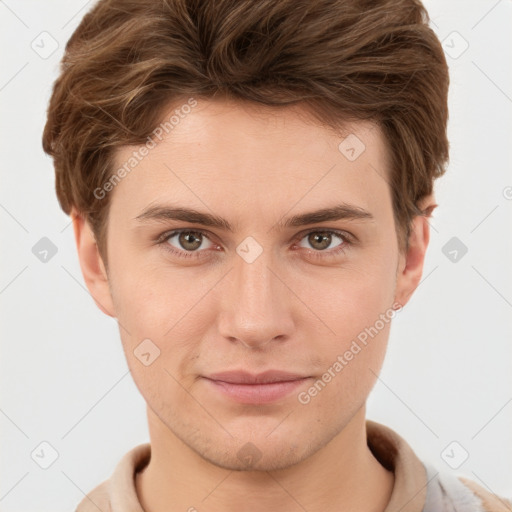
418,486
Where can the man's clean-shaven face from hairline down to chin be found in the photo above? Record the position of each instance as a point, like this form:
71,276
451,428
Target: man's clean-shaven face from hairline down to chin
261,288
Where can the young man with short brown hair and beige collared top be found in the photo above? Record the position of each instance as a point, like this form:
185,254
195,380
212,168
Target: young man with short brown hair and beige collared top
250,184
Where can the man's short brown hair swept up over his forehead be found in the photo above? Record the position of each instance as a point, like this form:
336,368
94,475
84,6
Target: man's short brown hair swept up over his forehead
341,59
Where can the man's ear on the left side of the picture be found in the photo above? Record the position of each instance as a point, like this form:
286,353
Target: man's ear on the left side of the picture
92,266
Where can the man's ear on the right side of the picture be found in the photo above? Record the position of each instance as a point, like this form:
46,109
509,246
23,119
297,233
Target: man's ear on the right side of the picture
410,265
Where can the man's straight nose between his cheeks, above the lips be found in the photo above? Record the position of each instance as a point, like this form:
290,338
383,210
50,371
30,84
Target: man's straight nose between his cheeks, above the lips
255,304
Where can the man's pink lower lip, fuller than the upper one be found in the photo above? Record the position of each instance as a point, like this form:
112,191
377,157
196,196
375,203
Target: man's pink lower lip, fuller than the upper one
257,393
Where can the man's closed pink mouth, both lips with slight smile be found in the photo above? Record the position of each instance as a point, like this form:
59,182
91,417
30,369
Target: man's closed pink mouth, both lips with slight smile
267,387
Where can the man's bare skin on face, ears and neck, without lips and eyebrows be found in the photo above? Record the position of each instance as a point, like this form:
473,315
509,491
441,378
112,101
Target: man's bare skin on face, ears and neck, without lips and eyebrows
286,310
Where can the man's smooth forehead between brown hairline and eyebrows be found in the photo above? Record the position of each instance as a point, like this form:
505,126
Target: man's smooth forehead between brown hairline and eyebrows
261,158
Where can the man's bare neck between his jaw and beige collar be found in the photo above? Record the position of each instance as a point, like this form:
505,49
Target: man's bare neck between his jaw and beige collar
343,476
